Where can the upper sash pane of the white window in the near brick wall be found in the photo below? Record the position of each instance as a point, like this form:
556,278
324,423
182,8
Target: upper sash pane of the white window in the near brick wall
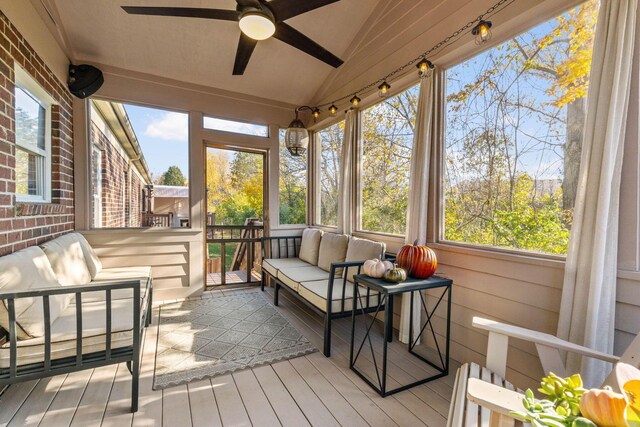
30,120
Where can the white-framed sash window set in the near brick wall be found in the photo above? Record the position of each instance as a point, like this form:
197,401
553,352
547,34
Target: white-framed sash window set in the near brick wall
33,140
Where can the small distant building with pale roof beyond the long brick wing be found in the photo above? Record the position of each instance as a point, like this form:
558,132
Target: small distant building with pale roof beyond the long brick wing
171,201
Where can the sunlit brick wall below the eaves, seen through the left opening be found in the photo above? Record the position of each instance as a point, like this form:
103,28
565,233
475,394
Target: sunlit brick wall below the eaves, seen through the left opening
121,188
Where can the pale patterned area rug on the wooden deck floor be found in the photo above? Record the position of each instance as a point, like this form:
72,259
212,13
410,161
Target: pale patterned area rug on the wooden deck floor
208,337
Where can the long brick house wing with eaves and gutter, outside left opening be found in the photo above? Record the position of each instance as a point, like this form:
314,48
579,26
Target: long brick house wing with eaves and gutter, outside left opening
119,172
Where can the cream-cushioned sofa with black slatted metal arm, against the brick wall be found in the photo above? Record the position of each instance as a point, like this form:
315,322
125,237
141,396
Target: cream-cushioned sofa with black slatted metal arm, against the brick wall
47,293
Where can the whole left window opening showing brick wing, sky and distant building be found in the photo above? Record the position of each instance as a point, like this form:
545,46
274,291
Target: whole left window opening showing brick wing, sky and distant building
139,172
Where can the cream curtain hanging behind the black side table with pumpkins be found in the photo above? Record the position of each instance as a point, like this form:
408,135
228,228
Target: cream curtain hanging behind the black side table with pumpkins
418,191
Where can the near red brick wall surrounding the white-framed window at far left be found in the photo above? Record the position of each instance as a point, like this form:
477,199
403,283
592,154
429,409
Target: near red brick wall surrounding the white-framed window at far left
23,224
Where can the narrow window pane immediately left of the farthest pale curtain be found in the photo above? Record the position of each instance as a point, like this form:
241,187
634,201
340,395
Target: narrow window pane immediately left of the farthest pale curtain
330,147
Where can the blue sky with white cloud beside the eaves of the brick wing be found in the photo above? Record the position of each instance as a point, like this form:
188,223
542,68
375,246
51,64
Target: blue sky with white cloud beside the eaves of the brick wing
163,136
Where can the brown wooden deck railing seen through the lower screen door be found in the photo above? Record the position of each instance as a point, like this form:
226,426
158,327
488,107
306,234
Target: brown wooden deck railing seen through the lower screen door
247,240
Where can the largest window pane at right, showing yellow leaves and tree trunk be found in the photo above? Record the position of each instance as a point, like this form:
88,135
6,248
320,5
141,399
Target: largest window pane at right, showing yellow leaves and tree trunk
514,123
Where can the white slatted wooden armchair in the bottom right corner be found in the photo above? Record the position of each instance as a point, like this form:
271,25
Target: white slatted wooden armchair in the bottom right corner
482,397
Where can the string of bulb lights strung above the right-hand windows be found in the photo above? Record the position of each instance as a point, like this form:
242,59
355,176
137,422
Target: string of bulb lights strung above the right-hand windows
478,27
